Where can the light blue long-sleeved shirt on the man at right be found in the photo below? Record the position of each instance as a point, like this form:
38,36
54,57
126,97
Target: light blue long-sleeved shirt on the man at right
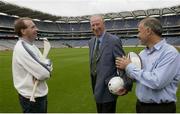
157,81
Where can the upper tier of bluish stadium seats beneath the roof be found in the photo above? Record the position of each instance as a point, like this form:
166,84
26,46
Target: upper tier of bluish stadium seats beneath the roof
8,21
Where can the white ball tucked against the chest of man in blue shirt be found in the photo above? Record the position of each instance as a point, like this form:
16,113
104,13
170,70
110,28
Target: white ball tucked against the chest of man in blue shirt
135,59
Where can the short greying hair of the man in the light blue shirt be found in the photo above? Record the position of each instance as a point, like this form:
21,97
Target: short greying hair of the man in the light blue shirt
154,24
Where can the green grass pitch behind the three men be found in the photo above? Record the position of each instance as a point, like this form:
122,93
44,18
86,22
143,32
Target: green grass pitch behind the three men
69,87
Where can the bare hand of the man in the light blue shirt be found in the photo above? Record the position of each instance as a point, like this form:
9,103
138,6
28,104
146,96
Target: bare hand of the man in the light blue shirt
122,62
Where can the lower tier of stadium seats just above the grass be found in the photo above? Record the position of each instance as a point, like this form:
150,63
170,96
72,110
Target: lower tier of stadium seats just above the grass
9,44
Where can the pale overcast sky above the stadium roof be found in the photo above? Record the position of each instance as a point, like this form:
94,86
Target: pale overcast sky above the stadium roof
88,7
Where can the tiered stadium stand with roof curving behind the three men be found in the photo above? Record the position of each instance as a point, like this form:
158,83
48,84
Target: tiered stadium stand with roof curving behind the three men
75,31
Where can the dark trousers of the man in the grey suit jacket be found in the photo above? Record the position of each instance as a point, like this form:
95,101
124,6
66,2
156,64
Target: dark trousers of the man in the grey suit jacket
109,107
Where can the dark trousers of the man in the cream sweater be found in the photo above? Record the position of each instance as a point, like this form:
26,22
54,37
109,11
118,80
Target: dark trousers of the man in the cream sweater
40,106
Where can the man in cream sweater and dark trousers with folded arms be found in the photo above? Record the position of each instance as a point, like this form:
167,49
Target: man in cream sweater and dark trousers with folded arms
27,67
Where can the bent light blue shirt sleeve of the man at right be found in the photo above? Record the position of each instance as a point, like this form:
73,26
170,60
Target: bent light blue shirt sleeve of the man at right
161,75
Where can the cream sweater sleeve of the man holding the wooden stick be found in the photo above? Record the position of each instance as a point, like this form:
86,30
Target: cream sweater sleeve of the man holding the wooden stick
35,68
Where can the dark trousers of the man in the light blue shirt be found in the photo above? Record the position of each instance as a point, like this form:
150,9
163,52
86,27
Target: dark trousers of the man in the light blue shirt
155,108
